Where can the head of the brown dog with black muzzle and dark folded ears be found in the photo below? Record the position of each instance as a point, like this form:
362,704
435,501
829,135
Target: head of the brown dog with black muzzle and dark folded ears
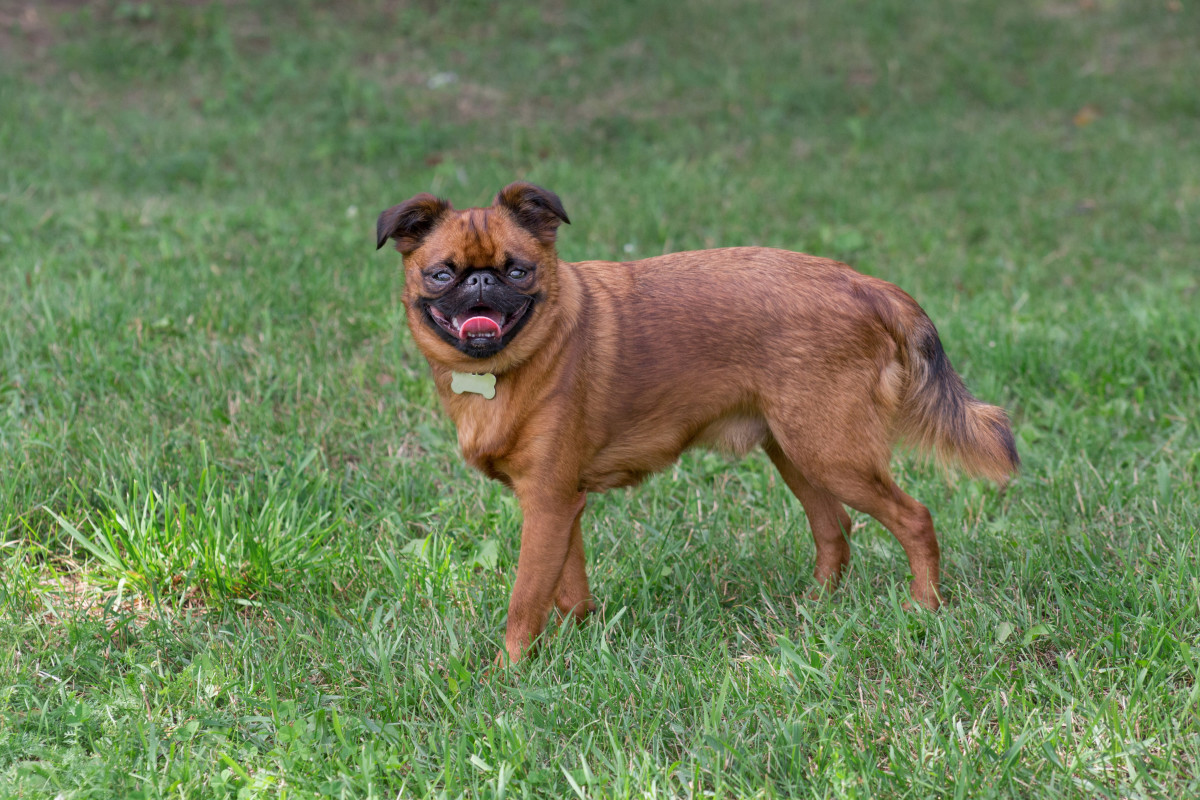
476,280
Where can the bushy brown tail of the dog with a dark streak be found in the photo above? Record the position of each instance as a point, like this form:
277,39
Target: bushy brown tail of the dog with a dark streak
939,416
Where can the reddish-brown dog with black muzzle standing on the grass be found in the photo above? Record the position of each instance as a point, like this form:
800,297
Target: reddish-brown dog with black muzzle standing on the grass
573,378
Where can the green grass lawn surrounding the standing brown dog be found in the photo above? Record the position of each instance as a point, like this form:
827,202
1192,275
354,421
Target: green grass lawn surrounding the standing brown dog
241,556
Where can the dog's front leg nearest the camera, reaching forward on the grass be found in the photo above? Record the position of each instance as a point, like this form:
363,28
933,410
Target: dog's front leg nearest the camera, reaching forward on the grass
545,543
